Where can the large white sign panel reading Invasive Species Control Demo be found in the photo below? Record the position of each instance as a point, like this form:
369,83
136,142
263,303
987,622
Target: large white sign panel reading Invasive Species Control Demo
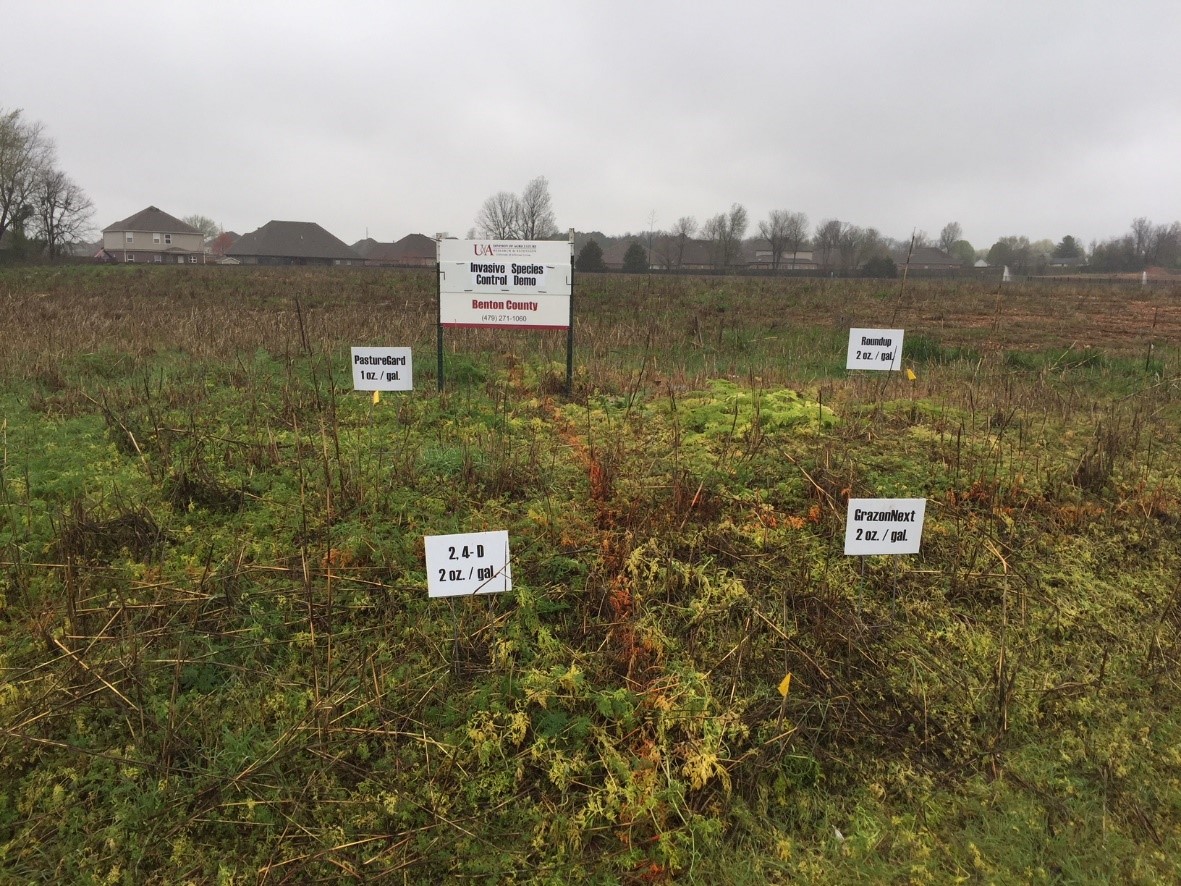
505,283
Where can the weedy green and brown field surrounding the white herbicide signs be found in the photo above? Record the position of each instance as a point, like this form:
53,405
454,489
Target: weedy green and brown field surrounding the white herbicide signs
219,662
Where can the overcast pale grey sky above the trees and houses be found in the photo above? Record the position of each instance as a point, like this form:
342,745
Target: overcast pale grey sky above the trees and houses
1038,119
